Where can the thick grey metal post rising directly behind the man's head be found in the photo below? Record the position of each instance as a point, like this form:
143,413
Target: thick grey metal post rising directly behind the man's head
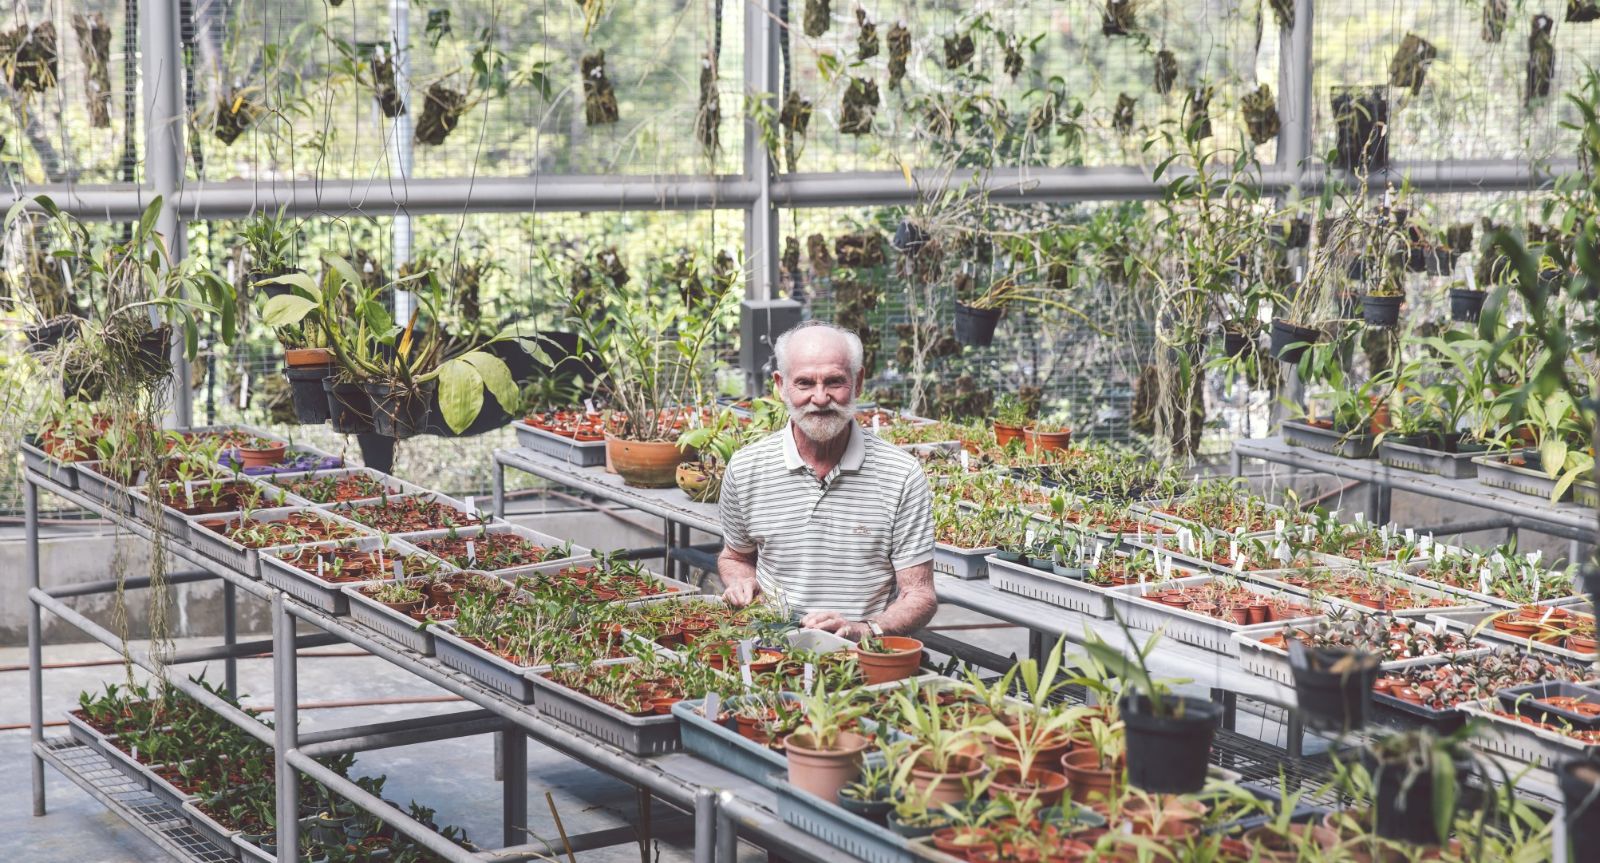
761,220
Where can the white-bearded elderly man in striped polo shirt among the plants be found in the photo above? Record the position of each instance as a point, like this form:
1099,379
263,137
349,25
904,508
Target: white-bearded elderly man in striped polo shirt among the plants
825,518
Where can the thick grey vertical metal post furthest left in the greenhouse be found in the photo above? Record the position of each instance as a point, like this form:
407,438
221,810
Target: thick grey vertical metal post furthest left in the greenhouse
164,156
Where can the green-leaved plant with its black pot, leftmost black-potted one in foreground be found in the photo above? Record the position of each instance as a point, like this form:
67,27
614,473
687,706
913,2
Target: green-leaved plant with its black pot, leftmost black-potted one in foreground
1169,736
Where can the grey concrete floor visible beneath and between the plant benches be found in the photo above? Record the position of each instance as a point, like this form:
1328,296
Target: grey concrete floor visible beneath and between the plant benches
455,777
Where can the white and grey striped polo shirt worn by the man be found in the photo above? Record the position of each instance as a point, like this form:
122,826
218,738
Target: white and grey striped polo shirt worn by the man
833,544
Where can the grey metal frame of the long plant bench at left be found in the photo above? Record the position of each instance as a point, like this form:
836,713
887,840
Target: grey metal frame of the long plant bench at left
722,805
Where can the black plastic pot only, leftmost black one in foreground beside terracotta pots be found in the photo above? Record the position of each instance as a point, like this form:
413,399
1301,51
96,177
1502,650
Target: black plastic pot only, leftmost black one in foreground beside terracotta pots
1170,755
